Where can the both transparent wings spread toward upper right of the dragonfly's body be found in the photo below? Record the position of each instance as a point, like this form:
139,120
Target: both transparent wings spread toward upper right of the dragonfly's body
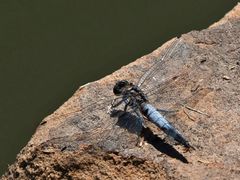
178,76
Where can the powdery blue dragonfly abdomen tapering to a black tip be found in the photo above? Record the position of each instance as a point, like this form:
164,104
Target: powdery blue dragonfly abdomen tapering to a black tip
155,117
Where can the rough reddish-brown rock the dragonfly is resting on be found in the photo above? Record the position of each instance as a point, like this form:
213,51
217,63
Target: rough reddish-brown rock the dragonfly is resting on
81,141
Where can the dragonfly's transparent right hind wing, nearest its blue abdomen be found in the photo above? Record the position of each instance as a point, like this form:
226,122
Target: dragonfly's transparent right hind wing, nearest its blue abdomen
184,89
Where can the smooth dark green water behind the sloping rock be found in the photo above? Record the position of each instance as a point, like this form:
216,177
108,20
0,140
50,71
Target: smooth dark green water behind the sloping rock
49,48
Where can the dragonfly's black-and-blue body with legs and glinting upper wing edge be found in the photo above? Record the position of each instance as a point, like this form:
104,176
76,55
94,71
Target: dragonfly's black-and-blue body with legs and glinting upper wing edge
134,98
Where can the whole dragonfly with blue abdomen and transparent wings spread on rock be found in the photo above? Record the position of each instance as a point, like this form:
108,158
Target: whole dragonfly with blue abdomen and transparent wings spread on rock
159,84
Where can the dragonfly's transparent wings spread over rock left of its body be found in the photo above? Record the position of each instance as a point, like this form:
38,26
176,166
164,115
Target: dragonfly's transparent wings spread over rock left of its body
92,124
